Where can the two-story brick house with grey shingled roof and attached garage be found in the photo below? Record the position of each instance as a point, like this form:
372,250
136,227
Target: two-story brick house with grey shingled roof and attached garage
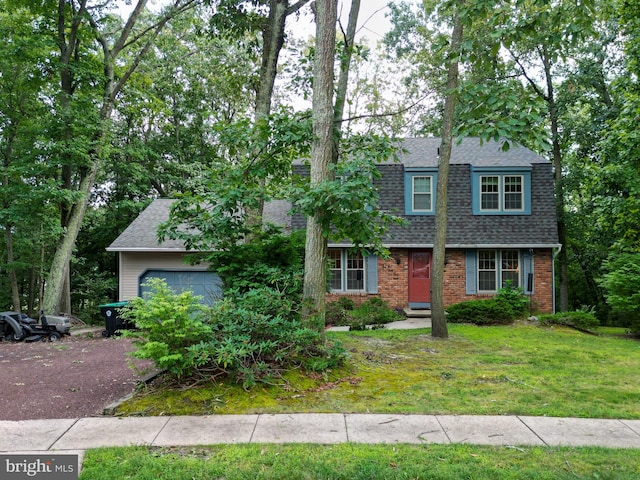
502,228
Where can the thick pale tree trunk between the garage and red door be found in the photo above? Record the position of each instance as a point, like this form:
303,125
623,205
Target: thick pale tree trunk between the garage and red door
315,270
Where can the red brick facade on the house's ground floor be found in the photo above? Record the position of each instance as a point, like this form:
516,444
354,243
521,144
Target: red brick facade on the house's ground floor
393,280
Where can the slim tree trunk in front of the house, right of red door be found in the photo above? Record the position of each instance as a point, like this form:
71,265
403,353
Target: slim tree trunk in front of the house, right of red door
438,318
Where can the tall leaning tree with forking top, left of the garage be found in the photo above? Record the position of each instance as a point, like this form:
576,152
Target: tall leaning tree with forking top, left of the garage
76,23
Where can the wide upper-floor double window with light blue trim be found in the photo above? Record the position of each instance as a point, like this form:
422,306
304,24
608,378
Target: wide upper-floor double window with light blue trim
499,193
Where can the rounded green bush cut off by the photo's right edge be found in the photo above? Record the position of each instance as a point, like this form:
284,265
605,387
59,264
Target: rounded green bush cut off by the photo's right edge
622,284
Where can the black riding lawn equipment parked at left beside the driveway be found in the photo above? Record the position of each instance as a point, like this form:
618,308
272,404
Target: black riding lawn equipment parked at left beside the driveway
18,326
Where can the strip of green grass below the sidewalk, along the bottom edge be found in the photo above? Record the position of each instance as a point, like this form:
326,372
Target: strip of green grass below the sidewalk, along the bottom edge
354,462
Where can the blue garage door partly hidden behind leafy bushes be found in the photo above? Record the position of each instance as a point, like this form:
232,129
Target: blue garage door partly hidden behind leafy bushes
205,284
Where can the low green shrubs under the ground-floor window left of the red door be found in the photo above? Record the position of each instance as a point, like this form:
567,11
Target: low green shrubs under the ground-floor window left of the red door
373,313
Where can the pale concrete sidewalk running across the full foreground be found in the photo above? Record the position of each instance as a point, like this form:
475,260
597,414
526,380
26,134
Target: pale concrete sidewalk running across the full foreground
77,434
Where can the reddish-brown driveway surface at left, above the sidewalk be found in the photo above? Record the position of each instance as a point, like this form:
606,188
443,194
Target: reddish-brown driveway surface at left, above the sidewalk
76,377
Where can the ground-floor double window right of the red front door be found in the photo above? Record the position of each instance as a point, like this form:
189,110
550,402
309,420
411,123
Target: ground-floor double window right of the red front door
497,269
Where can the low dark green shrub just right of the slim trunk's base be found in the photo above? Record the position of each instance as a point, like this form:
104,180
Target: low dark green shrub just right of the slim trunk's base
493,311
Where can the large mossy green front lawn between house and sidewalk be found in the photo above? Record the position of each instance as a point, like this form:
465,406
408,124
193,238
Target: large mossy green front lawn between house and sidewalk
517,370
